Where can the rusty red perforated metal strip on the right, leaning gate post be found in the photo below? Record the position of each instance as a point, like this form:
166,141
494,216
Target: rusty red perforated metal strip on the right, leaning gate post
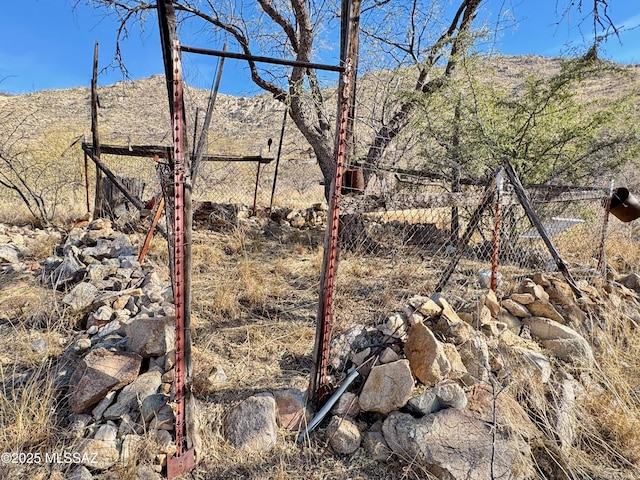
318,386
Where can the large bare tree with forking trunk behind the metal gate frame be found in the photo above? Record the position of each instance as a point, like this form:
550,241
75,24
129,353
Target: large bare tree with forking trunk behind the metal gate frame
428,36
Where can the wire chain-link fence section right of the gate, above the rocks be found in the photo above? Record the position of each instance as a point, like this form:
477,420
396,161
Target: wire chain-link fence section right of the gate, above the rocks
408,239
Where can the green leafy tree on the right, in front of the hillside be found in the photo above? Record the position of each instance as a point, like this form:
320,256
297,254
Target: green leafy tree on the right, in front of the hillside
565,127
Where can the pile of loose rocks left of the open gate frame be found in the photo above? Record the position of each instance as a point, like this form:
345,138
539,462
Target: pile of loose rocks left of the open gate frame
121,386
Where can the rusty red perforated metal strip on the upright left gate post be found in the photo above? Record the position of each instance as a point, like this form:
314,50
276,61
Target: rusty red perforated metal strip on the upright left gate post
183,460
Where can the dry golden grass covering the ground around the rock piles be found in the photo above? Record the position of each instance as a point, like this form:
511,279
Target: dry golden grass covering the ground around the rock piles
255,297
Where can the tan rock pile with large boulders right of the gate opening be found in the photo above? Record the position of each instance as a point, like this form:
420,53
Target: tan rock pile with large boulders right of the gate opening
437,392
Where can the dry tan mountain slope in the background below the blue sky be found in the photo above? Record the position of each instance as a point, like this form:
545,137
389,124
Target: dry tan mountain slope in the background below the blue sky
136,111
